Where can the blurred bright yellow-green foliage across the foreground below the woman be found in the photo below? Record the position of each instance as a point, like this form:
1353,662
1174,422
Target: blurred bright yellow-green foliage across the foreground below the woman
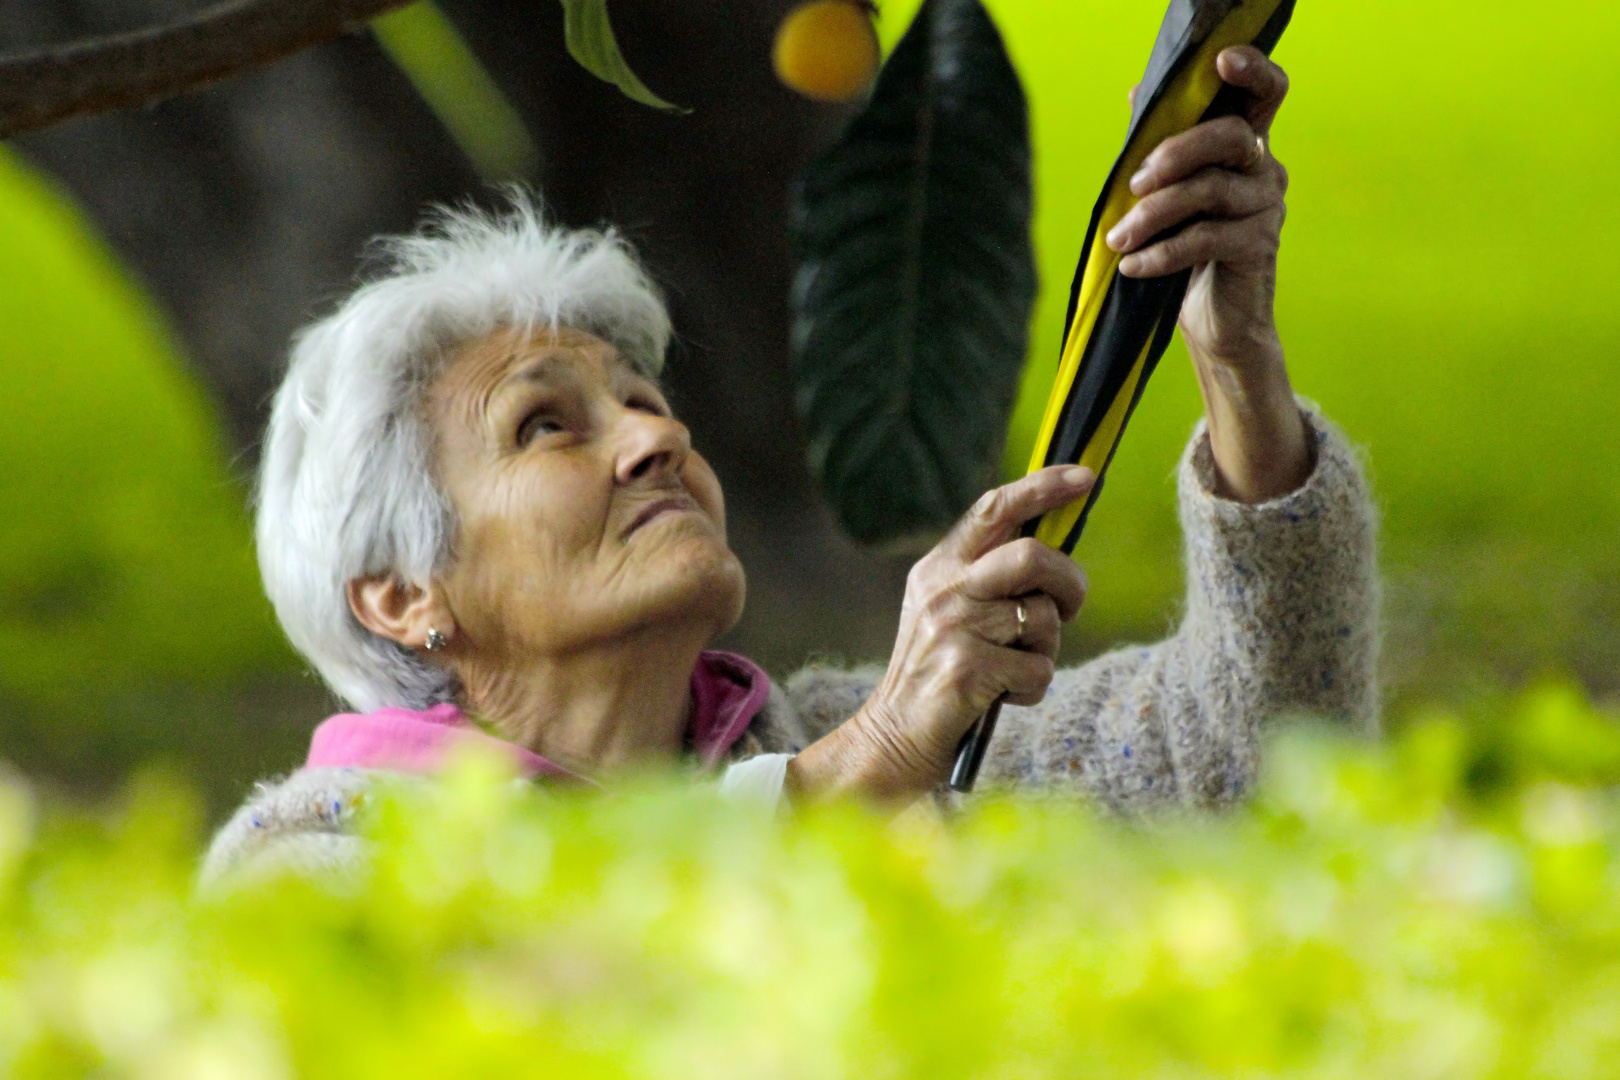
1446,906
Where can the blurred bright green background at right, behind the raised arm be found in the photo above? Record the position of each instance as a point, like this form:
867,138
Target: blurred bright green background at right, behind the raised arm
1449,294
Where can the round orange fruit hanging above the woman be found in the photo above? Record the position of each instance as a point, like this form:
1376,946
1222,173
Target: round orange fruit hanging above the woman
827,49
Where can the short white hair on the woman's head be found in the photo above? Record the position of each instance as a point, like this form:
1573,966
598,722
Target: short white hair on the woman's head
347,487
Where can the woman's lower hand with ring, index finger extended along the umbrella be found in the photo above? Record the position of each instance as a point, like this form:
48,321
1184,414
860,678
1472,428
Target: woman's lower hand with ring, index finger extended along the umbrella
960,647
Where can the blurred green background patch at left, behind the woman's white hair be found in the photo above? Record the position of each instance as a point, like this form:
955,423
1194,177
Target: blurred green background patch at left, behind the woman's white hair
126,564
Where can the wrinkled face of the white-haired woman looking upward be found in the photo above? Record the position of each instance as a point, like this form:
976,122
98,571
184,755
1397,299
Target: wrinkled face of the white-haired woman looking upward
584,514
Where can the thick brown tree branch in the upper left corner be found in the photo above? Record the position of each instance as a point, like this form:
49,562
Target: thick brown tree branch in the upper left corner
142,67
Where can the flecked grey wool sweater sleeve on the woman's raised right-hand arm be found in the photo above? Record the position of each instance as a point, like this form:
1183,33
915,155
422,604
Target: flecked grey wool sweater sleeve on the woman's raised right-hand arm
1281,618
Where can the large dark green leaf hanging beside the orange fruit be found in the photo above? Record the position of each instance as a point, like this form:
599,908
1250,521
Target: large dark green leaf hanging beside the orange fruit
916,281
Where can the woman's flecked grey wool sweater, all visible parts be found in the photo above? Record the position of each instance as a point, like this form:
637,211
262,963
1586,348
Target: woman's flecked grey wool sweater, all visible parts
1282,614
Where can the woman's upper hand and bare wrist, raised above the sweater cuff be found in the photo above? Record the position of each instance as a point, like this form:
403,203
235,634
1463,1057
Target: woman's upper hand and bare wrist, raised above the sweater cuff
1222,184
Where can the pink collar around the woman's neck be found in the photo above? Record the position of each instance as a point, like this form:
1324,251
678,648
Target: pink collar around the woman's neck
728,692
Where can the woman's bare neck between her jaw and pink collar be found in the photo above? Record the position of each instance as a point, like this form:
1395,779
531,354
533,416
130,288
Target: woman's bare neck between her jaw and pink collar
600,710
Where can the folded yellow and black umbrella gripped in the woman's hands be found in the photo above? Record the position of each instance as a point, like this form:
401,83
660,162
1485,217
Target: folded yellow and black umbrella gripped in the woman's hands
1119,328
